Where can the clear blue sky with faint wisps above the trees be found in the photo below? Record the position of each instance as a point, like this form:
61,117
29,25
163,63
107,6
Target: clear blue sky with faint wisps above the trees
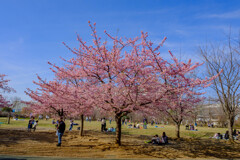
32,31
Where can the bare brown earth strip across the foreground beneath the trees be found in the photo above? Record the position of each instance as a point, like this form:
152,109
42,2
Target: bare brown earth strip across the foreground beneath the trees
100,145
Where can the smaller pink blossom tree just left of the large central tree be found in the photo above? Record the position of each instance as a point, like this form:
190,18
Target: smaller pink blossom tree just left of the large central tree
63,96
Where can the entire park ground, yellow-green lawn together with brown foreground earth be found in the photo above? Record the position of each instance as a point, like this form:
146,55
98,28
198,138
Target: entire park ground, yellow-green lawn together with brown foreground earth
16,140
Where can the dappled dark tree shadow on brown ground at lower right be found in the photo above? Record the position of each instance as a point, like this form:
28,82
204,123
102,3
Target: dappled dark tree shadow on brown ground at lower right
192,148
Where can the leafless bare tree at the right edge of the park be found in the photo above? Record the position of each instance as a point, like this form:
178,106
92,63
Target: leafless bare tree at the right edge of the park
225,57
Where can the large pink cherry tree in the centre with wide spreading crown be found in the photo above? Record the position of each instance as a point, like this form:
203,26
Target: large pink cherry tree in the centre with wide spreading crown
127,76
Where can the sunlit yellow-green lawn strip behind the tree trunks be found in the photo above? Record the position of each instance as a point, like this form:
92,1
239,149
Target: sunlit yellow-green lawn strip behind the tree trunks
203,132
